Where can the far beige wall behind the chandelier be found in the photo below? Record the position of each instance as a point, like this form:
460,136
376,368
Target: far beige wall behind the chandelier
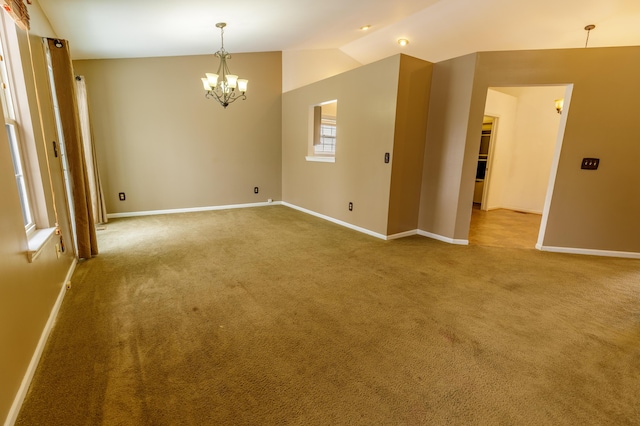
167,147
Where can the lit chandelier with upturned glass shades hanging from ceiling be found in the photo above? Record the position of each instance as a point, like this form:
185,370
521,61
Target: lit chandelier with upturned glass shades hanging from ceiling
223,86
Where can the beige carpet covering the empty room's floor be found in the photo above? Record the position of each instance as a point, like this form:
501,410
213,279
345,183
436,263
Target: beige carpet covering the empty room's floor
268,316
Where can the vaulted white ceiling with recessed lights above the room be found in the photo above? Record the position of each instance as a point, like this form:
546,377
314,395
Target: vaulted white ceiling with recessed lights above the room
437,29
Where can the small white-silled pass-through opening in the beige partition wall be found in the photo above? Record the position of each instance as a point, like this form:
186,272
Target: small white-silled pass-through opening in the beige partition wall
323,131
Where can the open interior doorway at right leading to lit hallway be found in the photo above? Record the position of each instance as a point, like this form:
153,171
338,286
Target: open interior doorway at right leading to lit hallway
517,159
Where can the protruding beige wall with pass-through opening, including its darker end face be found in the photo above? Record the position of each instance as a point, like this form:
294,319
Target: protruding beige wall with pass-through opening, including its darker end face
373,119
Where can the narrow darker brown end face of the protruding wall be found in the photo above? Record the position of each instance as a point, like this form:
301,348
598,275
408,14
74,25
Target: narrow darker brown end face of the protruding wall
414,84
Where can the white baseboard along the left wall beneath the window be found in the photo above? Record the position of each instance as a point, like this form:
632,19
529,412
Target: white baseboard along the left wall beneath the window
35,359
